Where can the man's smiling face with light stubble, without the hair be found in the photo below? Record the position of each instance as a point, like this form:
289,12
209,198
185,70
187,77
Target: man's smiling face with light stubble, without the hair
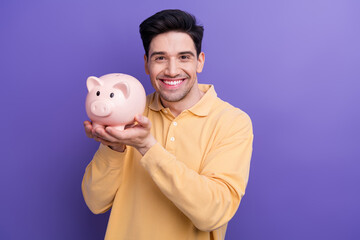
172,66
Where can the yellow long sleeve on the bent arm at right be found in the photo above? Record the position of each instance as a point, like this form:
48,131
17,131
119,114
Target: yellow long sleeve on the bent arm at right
211,196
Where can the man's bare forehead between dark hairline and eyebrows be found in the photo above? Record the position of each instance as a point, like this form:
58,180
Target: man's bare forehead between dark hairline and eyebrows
172,42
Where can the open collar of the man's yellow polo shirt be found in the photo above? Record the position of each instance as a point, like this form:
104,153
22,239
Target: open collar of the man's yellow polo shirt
201,108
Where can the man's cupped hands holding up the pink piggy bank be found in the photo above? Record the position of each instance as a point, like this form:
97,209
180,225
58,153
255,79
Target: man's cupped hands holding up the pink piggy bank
137,135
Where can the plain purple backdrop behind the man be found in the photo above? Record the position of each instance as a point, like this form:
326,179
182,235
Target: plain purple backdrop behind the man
293,66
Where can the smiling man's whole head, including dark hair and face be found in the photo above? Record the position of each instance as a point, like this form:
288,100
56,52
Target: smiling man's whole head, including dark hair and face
173,56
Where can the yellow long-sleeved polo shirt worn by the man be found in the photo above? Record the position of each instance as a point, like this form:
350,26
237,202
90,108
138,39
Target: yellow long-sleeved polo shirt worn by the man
187,186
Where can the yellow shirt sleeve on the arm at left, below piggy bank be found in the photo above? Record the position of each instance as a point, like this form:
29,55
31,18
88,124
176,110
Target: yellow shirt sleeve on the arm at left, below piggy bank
102,179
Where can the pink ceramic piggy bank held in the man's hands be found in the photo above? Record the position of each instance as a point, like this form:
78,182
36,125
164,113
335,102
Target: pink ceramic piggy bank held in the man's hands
114,100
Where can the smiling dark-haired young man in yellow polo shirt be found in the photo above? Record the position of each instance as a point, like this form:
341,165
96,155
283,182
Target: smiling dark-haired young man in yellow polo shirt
181,172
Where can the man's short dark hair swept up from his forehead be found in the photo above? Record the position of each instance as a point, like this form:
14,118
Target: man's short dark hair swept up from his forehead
171,20
